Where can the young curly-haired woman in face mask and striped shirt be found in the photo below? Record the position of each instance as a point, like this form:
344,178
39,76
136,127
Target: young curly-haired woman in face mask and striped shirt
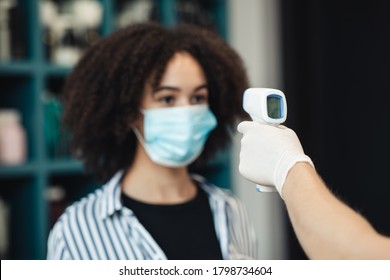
143,105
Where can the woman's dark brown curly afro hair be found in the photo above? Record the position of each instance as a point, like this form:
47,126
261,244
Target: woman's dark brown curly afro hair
102,95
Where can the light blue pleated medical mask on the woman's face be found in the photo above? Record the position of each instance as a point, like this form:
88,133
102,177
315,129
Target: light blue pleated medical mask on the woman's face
175,137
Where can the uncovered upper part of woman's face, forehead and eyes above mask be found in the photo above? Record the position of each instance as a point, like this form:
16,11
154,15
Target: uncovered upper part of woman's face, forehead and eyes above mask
183,84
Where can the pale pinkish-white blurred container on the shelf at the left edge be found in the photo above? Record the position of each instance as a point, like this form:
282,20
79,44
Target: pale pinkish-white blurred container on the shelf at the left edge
12,138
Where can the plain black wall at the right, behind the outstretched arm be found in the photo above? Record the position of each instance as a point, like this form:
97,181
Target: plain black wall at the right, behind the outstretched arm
337,82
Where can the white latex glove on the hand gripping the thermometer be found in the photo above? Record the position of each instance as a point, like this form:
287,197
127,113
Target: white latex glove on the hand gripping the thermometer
268,153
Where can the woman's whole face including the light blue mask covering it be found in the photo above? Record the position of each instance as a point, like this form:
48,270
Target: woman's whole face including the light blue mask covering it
176,132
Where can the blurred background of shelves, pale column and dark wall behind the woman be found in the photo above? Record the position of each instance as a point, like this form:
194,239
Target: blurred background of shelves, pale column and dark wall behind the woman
331,59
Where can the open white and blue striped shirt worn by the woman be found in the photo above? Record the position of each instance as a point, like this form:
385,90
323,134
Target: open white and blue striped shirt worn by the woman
100,227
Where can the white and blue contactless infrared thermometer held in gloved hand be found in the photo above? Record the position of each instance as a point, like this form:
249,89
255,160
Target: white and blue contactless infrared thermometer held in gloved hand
268,106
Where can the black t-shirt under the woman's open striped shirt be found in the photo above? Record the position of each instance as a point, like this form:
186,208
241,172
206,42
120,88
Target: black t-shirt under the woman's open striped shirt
184,231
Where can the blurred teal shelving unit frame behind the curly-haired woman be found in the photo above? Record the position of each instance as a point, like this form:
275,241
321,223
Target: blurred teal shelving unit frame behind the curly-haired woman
23,82
